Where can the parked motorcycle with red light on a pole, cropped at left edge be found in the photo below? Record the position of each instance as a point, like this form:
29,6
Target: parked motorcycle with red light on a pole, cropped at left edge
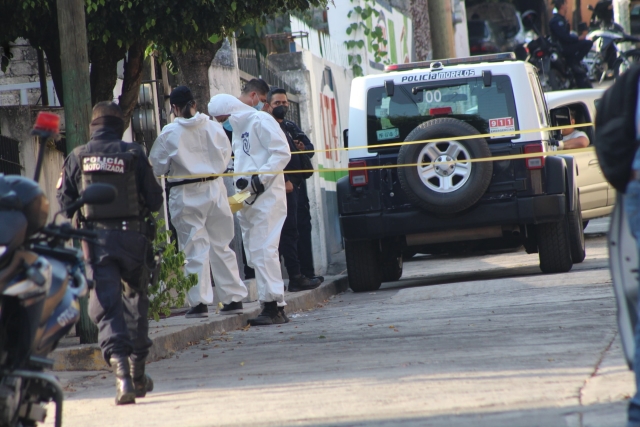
41,281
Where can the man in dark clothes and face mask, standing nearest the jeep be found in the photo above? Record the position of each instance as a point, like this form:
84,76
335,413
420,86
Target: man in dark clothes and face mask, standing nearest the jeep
289,239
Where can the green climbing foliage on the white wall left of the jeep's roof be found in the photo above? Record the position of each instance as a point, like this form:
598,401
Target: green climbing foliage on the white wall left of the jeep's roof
378,42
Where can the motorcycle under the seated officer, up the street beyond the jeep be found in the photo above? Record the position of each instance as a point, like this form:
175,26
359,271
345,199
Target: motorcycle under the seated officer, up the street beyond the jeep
546,56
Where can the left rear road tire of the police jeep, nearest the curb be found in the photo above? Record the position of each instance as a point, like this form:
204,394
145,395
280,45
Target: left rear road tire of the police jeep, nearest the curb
363,264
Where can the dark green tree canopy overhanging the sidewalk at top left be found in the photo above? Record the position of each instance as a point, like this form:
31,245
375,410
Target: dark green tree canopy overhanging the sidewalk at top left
190,31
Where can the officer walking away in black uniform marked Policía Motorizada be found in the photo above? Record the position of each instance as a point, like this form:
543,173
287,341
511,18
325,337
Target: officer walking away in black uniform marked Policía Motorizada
125,251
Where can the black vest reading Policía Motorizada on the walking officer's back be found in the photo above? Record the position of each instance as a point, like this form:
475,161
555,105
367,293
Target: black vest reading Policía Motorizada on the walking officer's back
119,170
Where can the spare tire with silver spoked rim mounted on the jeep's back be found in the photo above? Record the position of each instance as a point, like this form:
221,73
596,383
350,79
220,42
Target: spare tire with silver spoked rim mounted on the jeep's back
444,188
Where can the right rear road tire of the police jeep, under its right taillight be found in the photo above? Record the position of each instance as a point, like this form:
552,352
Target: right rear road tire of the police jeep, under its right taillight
554,247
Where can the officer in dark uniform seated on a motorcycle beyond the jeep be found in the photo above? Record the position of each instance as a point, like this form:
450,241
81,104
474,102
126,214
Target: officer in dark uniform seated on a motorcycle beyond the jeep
574,48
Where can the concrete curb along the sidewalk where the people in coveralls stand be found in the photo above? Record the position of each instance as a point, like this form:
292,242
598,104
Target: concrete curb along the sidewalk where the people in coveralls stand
167,339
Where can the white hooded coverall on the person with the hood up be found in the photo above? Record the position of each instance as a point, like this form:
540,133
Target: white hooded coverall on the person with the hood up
259,145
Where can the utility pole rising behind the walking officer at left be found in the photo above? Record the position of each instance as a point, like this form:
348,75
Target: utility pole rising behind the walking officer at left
77,106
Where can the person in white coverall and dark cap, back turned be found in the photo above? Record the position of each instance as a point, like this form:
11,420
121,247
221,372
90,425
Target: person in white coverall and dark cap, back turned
195,145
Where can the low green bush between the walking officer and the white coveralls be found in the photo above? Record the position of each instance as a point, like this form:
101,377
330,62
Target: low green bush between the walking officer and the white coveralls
172,286
